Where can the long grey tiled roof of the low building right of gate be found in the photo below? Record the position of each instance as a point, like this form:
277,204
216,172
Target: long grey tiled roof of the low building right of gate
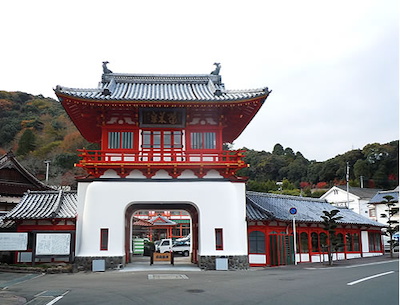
266,206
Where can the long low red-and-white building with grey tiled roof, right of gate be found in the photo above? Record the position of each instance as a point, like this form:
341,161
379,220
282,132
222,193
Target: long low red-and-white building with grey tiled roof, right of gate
270,229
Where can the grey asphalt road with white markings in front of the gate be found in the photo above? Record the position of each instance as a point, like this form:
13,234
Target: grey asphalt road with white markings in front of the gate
365,281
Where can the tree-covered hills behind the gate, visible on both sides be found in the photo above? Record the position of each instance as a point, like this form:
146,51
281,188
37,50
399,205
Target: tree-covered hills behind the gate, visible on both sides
37,129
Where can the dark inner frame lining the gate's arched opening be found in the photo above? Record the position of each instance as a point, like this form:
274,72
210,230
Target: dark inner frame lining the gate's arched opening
186,206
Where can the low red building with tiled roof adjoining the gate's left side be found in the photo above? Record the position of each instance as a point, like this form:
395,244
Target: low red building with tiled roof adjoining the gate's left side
46,215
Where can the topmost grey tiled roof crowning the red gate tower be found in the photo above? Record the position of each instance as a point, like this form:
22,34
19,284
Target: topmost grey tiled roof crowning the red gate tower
156,87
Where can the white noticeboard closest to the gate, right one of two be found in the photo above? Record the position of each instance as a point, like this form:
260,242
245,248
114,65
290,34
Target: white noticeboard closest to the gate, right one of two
53,243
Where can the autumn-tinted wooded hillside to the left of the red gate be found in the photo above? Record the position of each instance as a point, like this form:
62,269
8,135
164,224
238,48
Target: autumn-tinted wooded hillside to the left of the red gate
37,129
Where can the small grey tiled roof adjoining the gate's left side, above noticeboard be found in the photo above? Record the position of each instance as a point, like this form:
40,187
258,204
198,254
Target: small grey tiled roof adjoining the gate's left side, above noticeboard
45,205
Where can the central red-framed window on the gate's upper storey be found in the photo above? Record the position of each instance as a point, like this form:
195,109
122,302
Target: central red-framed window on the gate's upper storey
162,139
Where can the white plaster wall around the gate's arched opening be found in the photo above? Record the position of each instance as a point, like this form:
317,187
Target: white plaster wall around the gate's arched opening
102,204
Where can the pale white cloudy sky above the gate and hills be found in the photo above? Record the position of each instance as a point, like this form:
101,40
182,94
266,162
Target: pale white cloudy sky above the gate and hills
332,65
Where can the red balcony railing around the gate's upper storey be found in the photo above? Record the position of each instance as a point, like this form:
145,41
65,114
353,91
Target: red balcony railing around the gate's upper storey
97,161
